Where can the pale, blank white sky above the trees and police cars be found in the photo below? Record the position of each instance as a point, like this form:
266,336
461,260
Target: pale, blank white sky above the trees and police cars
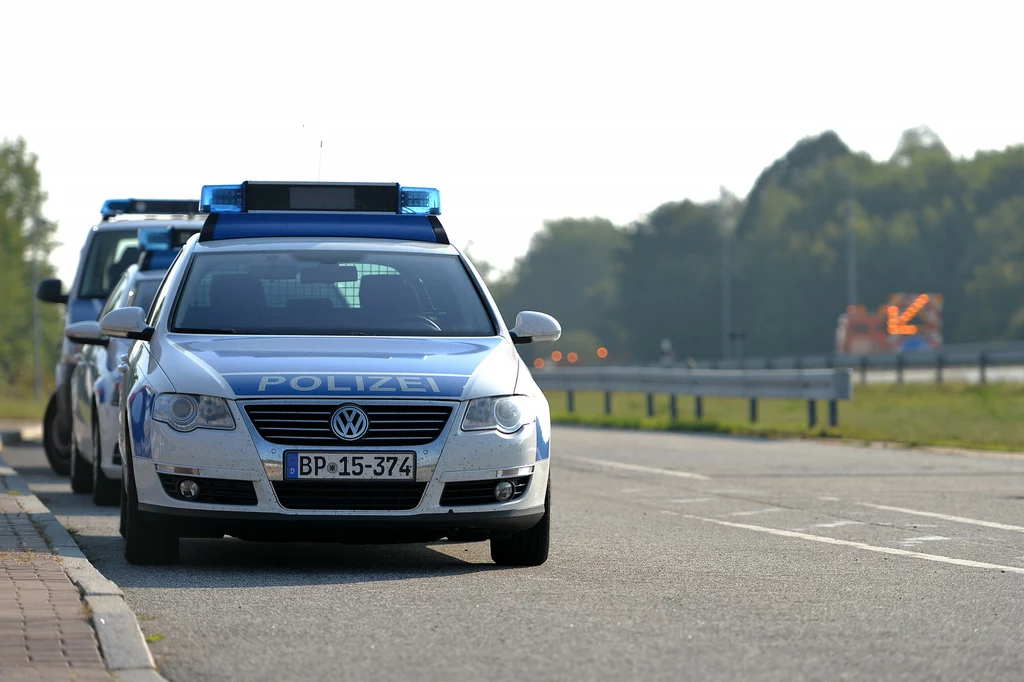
518,112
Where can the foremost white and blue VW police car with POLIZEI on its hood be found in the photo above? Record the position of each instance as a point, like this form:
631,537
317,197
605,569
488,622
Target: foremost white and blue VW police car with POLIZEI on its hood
321,364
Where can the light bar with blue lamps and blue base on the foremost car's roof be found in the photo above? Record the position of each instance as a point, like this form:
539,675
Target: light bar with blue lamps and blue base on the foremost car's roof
322,210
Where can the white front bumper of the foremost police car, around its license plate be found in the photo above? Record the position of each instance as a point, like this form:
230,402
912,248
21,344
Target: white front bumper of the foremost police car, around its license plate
240,456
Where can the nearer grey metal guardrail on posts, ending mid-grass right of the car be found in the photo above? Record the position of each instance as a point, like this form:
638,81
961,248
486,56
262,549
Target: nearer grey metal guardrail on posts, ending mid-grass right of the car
810,386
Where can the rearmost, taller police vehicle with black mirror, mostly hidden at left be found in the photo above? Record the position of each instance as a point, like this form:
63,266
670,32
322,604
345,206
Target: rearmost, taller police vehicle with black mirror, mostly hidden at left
110,248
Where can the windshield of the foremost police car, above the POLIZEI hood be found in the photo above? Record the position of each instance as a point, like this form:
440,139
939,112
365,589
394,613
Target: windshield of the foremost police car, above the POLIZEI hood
331,293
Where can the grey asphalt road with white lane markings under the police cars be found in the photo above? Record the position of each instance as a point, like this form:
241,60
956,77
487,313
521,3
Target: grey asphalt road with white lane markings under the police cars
675,558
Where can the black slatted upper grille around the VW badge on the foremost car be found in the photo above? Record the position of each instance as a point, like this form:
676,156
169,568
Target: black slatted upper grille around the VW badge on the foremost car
310,424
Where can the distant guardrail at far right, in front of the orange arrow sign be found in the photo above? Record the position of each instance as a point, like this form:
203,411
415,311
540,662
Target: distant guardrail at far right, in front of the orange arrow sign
937,361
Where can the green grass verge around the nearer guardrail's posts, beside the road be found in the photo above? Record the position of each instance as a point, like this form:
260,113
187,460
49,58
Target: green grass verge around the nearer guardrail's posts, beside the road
990,417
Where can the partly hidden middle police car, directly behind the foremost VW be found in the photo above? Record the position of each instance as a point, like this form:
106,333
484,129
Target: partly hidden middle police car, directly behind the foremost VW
96,382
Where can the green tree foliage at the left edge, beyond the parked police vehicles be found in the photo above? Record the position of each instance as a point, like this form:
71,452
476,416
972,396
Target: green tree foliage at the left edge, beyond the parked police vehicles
22,227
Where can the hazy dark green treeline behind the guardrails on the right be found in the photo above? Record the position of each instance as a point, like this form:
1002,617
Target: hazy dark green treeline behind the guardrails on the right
923,222
